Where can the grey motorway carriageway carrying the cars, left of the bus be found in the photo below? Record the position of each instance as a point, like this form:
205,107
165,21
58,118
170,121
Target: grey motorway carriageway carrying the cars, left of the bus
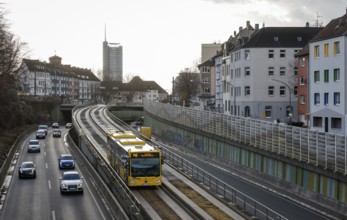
40,198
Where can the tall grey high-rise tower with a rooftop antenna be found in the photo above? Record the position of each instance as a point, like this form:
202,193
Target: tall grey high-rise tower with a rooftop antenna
112,61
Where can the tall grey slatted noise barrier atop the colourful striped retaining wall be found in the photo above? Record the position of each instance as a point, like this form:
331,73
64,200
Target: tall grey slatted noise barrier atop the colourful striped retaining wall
321,149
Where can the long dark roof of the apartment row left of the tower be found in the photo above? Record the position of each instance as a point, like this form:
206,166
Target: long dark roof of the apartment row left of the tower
68,70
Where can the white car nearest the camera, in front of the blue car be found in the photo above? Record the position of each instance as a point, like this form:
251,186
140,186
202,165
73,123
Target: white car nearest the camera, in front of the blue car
71,181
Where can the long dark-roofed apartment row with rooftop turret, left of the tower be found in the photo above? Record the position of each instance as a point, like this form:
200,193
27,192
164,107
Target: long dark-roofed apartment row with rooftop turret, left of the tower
73,84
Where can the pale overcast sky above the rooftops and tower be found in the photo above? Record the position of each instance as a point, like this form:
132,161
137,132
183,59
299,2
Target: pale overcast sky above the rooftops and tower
160,38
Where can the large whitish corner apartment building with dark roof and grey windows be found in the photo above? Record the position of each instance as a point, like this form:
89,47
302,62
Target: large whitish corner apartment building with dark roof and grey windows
260,74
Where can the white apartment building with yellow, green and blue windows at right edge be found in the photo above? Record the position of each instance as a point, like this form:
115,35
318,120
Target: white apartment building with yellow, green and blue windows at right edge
327,75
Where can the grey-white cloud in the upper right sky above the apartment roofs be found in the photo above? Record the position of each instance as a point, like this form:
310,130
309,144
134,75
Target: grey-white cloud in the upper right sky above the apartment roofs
286,12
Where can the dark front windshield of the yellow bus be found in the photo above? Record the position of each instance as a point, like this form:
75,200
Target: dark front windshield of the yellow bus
145,167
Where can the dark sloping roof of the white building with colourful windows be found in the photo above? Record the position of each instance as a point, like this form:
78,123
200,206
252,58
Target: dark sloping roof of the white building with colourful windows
336,28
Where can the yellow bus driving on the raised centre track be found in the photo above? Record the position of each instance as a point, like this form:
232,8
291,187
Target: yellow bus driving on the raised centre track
135,161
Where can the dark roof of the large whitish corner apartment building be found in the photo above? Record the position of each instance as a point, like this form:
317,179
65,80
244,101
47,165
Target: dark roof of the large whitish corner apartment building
282,37
